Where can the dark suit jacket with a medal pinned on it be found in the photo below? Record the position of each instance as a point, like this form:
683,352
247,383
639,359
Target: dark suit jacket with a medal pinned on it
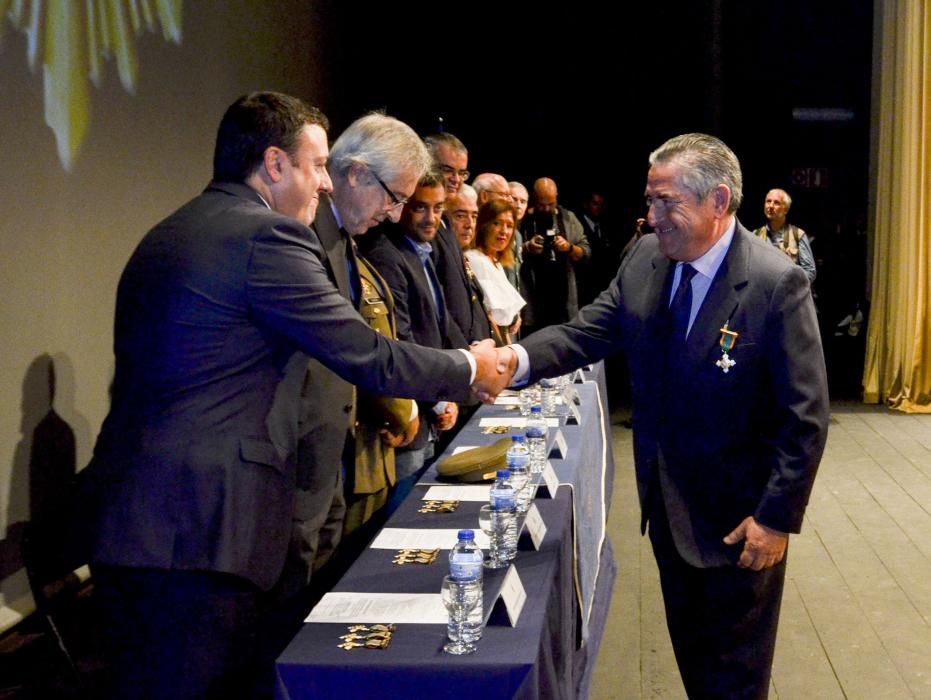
722,446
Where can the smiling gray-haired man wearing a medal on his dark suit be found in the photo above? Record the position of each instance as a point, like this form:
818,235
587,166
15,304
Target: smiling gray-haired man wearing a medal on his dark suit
730,409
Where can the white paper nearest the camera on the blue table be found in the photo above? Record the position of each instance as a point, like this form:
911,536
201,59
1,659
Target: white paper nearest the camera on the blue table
383,608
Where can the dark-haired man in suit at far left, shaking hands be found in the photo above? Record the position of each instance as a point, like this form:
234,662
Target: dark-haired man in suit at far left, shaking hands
190,493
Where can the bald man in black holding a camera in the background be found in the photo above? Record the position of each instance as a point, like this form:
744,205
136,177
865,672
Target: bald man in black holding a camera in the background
554,244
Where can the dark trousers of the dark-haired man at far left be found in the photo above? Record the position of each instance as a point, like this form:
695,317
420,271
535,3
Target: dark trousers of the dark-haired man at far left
181,634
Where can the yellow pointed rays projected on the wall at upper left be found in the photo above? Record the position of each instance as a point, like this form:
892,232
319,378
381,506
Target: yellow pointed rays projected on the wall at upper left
74,38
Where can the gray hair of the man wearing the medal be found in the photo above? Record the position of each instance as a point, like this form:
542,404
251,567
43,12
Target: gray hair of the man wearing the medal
704,162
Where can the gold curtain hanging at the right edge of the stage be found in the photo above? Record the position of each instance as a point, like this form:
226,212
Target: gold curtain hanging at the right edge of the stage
898,349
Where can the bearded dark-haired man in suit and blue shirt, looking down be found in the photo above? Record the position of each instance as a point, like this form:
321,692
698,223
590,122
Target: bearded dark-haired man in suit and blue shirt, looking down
402,255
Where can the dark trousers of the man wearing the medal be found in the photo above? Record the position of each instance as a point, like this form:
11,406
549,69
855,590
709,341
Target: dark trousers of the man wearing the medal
722,621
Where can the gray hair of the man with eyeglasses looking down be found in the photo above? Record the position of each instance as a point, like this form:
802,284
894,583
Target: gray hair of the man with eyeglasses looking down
385,145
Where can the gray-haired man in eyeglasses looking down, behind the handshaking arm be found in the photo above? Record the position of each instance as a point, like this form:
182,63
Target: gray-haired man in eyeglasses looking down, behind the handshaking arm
375,145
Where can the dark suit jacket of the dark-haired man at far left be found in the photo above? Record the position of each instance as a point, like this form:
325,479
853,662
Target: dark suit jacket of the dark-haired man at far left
190,470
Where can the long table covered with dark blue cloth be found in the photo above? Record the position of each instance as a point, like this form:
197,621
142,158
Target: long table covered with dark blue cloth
549,653
